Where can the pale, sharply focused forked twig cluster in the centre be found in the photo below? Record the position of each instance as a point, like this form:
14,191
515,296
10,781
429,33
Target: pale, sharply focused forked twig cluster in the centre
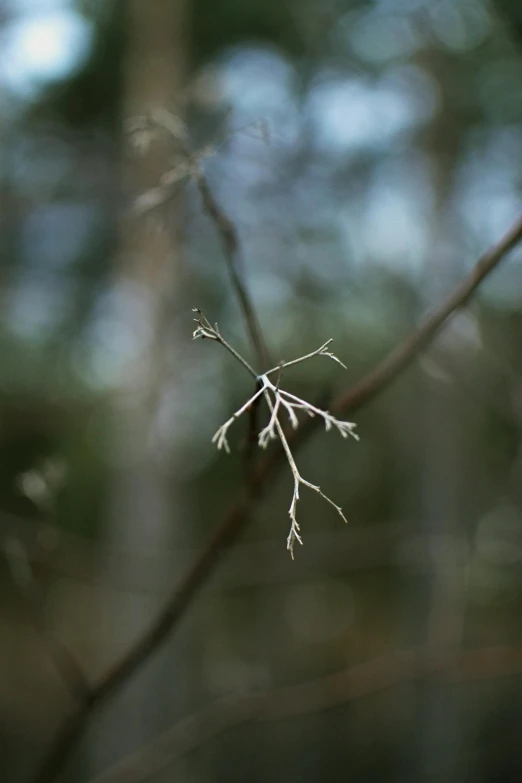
278,400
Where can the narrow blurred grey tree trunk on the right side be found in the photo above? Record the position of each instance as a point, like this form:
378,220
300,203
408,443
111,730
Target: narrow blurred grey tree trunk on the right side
441,749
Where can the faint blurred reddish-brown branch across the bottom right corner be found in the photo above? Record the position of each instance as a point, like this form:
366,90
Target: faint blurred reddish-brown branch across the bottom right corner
334,690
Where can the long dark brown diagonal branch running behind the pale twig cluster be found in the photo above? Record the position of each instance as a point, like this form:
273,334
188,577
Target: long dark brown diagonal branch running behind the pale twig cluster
223,537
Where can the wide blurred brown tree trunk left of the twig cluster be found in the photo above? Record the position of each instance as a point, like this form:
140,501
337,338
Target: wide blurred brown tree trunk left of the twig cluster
145,507
